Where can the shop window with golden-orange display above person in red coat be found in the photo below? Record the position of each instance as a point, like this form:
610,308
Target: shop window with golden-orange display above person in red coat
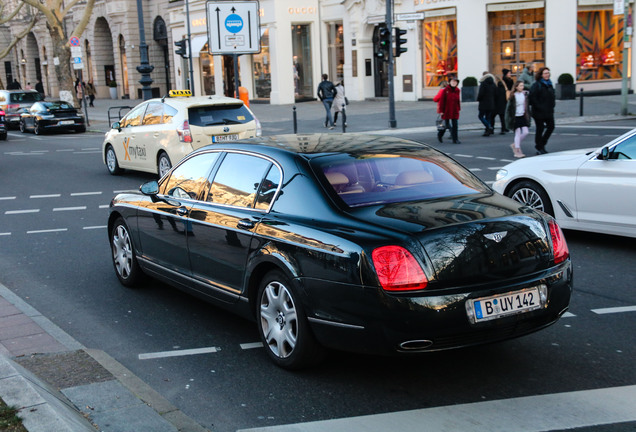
440,39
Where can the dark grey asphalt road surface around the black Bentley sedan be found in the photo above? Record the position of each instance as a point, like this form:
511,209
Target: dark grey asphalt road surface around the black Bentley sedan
54,253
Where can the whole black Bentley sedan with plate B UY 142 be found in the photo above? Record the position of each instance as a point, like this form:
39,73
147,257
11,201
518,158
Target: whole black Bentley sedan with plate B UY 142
360,243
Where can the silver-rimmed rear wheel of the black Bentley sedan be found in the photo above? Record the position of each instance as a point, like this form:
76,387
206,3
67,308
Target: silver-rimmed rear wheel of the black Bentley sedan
283,326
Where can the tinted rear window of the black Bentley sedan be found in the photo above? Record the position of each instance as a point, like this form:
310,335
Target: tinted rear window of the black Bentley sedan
381,179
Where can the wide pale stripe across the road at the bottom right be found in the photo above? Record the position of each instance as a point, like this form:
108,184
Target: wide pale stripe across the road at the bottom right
557,411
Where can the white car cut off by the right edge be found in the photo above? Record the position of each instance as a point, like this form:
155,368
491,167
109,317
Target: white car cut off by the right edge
588,190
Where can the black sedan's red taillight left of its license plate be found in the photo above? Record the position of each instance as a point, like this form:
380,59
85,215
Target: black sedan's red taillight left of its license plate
398,270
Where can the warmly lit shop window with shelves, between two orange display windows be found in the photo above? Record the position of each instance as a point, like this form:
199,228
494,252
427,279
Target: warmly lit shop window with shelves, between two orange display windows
517,38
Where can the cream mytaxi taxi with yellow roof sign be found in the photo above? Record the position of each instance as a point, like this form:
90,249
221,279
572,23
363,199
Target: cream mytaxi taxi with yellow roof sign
158,133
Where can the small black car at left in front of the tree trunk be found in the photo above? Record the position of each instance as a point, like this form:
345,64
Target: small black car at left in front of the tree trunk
52,115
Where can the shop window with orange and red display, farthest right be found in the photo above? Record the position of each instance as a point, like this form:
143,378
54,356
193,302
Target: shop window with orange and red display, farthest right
599,45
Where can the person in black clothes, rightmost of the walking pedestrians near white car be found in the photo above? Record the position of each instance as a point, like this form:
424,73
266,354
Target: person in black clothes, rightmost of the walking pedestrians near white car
542,102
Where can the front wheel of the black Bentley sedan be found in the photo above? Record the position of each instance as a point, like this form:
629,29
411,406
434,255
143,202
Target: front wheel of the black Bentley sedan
124,260
